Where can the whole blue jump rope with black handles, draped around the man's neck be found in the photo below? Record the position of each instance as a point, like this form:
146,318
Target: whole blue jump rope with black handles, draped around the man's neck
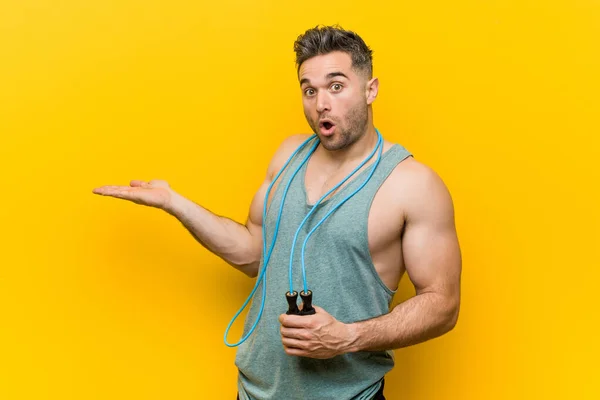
306,294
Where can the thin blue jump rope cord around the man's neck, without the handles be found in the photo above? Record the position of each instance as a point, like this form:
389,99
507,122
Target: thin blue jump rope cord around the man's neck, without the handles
268,254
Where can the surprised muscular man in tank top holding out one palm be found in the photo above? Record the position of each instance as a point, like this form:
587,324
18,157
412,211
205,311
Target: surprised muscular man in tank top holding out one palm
401,220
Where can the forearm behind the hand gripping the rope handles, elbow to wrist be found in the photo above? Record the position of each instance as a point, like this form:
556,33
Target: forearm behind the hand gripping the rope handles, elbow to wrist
418,319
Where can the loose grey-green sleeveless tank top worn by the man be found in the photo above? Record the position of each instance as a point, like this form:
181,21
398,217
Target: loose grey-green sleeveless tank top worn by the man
341,275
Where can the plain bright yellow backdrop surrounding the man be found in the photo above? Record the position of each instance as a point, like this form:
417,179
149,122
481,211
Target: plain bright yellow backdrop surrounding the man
105,299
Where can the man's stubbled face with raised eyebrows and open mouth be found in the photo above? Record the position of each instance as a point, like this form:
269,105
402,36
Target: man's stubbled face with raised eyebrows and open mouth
335,99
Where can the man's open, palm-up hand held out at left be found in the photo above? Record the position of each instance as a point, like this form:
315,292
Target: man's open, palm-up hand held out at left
155,193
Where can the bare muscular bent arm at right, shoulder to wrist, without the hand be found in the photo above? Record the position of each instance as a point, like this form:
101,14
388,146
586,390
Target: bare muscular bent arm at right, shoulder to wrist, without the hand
433,263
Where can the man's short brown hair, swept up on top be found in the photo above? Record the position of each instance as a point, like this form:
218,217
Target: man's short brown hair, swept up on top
326,39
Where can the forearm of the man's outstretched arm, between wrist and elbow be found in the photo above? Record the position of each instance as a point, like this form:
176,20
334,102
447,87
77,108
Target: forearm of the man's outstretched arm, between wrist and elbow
222,236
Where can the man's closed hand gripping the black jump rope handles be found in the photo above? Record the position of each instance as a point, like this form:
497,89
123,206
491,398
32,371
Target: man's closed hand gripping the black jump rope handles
316,336
